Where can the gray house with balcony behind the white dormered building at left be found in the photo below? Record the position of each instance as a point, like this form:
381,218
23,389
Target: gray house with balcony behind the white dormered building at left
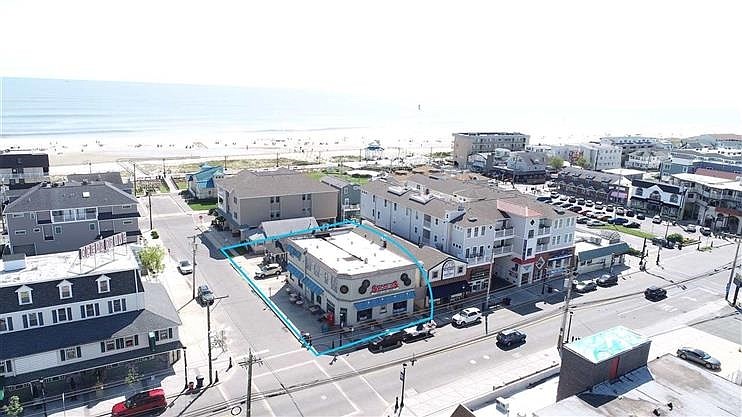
52,218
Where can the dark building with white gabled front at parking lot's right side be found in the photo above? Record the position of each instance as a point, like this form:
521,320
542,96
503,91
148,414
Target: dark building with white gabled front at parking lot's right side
657,198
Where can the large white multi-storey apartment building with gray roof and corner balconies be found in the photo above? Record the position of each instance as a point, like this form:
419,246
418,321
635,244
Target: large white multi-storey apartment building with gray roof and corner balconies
473,222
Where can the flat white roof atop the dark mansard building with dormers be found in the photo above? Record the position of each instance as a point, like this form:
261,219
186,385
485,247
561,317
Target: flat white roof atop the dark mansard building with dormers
58,266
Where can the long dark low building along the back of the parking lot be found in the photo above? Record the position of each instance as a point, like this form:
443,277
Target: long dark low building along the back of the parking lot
593,185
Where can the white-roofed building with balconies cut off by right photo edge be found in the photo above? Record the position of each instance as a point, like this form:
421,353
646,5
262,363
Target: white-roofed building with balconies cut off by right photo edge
714,202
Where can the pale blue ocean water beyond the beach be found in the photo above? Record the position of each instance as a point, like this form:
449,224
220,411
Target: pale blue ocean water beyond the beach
48,107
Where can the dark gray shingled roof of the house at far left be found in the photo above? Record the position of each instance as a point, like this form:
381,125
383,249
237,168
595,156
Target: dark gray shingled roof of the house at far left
70,196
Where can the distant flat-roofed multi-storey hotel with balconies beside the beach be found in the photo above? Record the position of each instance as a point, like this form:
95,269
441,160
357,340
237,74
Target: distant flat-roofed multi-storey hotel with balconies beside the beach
465,144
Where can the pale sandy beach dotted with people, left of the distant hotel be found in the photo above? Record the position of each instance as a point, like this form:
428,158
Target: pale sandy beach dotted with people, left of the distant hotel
81,154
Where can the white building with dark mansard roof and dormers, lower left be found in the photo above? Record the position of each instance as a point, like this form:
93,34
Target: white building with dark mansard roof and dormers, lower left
64,318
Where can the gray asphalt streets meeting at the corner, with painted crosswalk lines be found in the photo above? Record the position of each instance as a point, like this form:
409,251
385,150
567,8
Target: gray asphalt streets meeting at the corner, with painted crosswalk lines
285,365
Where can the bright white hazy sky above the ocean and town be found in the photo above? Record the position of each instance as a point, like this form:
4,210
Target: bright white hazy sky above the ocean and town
589,54
